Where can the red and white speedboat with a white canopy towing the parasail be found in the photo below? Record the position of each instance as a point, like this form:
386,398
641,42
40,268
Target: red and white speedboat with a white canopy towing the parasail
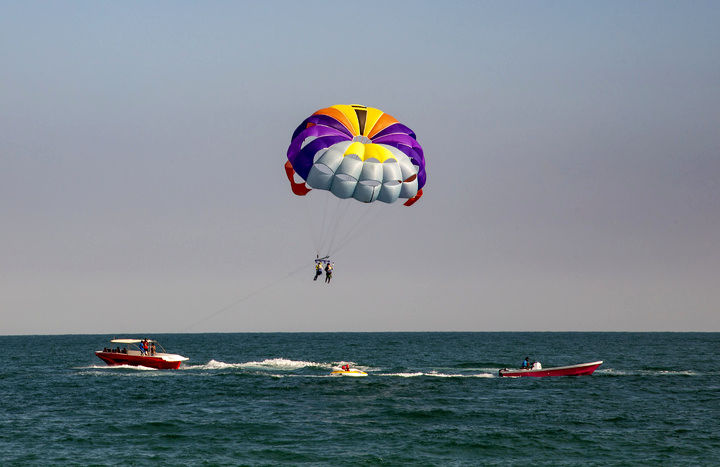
132,354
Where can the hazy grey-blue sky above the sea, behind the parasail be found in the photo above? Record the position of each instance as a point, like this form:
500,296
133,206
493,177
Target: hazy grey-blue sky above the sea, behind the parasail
573,158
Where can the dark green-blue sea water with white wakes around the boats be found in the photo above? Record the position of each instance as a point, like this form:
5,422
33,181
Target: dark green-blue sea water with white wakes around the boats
429,399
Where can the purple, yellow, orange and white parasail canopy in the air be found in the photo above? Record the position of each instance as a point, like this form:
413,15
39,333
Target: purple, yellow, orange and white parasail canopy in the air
356,152
